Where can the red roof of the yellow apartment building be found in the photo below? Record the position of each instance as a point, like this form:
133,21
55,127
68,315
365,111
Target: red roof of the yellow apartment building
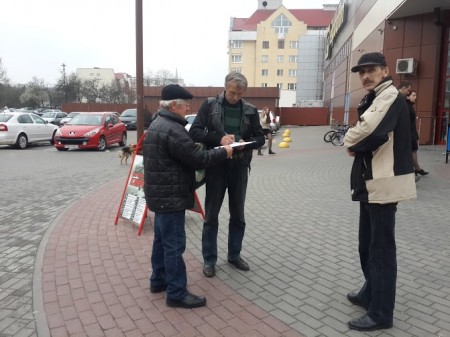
311,17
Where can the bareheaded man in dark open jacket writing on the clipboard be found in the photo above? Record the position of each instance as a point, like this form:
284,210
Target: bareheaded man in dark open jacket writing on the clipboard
220,121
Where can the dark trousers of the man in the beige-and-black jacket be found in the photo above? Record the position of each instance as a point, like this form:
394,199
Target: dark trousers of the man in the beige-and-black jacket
377,252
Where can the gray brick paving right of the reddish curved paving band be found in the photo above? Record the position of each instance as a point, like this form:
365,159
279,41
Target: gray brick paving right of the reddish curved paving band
301,241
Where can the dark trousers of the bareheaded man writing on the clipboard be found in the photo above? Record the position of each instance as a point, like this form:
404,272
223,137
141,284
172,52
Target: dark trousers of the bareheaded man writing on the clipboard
232,175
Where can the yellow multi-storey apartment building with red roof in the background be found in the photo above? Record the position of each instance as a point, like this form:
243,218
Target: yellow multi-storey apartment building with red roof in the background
267,49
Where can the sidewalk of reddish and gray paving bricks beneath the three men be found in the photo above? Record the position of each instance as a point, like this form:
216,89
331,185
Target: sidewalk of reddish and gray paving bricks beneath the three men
91,277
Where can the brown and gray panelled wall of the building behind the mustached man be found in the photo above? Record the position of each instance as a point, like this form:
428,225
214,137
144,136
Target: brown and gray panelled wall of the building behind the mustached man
367,30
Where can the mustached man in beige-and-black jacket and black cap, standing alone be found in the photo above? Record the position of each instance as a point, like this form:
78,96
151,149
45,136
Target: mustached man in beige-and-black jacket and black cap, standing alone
382,175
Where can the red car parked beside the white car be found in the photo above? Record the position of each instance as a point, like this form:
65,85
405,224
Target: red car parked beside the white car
91,130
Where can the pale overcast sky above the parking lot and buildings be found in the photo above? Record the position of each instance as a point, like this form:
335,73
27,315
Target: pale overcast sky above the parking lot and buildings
190,37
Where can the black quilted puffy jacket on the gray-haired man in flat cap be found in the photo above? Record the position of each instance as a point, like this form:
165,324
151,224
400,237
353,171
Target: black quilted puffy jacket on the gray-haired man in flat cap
170,159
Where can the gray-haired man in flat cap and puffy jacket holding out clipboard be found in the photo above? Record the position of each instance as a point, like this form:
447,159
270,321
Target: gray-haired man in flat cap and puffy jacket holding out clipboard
170,160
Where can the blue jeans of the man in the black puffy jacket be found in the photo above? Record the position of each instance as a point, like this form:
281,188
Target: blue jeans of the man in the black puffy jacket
169,243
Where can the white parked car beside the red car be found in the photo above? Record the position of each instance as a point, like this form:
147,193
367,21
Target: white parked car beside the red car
22,128
